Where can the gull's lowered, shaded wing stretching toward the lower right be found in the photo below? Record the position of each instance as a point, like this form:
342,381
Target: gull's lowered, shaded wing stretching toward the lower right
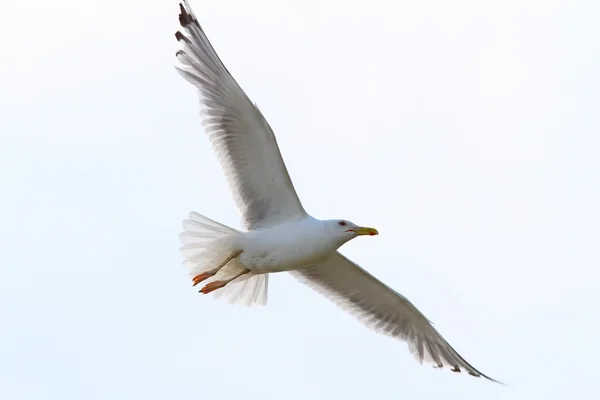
383,309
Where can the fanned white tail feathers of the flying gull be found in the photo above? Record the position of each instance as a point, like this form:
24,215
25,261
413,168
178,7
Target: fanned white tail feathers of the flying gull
205,244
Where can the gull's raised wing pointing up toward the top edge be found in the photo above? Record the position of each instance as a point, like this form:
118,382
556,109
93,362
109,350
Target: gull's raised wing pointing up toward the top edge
240,135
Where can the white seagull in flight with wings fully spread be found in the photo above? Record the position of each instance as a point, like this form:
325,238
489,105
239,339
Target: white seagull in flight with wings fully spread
280,235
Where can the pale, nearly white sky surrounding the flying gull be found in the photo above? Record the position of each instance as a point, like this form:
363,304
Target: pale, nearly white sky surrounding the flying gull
466,132
